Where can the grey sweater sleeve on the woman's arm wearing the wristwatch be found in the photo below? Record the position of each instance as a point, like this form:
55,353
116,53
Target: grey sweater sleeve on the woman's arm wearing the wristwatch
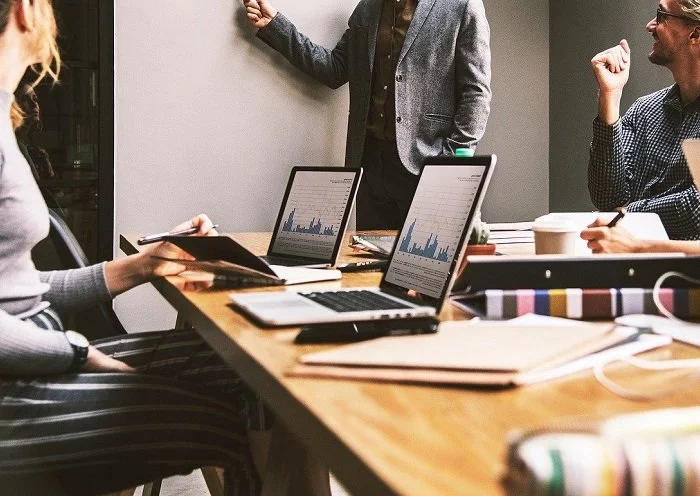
28,350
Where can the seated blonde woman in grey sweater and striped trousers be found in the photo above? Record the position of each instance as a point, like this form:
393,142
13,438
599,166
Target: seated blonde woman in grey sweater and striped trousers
115,413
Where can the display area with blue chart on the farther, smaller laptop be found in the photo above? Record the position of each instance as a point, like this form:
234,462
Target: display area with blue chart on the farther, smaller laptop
313,214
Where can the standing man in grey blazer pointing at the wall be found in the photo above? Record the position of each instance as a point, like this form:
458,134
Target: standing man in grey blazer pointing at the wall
419,74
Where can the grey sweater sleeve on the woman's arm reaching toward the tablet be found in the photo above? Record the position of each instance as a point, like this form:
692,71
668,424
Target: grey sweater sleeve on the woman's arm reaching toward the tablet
76,289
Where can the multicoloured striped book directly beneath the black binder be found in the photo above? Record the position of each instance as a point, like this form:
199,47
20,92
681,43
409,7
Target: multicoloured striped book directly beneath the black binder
577,303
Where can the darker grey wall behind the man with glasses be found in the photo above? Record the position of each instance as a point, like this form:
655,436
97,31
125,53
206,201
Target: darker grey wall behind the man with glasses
599,25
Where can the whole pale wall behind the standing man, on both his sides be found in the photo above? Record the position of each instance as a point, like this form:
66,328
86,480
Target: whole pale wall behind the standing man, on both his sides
208,119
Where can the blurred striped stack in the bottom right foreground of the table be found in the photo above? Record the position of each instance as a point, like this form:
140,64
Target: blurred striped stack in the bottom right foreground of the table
635,461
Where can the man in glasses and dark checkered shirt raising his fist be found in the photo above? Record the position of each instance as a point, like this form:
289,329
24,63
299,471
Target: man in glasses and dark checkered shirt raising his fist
636,161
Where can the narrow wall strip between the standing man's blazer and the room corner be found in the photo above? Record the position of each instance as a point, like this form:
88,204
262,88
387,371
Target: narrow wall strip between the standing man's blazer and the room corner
518,128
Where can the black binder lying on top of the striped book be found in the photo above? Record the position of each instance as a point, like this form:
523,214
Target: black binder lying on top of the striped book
558,271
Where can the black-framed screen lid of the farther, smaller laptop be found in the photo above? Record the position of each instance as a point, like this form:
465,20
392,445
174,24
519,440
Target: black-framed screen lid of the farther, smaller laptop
314,214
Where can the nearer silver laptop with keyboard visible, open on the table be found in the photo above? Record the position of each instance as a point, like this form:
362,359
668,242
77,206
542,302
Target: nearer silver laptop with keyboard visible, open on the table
422,264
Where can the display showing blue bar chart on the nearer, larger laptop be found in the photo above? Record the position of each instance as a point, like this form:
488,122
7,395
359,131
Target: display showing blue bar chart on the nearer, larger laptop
429,241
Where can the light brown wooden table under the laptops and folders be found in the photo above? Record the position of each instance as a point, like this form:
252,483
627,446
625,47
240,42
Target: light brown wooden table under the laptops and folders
389,438
